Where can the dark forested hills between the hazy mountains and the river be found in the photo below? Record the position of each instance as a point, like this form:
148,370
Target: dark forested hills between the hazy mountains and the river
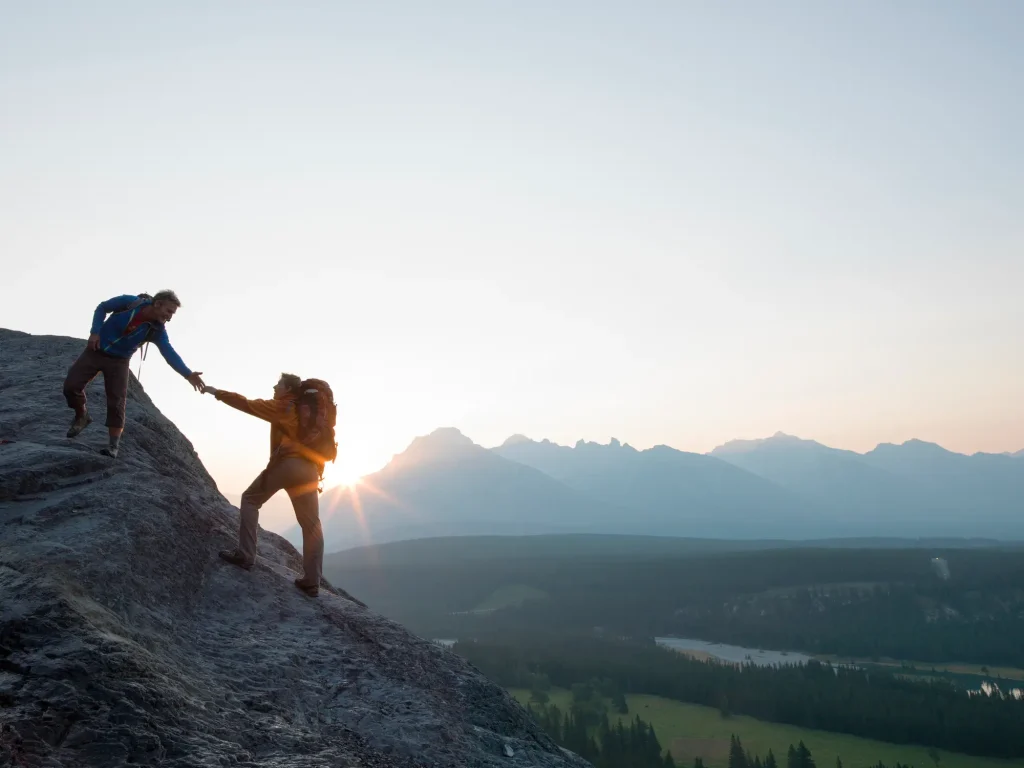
866,604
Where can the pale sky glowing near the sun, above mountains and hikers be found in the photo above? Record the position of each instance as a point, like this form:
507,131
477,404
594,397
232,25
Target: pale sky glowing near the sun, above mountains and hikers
669,223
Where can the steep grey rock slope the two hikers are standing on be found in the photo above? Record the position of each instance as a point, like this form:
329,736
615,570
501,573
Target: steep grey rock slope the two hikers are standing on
125,641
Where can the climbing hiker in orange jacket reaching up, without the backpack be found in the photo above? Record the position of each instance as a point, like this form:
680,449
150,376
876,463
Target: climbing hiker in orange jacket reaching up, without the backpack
292,468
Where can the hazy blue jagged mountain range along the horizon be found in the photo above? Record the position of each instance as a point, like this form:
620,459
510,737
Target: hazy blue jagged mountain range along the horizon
778,488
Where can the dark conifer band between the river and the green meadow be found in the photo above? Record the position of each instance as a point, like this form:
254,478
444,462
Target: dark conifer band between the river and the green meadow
873,705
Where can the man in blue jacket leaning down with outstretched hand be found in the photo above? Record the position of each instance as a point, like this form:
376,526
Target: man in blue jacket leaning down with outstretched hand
133,322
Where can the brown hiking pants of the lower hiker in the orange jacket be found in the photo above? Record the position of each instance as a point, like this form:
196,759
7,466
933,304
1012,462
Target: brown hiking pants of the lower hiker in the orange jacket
301,480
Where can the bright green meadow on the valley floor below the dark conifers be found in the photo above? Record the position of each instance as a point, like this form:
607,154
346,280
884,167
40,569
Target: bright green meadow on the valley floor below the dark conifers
691,732
